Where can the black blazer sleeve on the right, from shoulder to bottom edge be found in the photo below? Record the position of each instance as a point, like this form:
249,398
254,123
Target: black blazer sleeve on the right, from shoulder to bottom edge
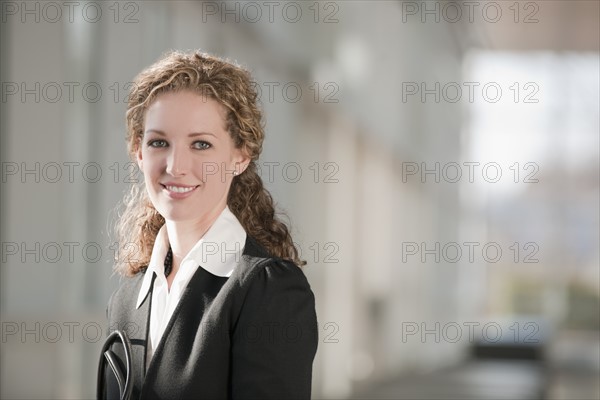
275,339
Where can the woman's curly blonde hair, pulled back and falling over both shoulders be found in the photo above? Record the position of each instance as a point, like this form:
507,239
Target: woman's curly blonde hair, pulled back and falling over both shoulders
233,87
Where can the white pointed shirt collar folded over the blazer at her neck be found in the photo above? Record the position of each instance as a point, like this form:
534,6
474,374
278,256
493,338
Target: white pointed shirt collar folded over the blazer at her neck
218,251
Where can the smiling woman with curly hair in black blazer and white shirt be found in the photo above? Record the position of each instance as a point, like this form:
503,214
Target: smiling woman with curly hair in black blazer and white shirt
214,303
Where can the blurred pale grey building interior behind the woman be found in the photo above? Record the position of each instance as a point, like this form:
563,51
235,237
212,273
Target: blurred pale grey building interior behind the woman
438,162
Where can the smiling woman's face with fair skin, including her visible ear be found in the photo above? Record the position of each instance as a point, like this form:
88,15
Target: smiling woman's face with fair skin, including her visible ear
187,156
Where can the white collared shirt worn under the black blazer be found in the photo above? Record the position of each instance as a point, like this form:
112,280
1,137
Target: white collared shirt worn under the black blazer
218,252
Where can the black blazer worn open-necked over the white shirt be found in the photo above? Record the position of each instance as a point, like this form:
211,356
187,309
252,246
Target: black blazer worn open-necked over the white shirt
250,336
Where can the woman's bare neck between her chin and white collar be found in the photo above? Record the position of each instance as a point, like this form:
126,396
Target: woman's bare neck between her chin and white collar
183,235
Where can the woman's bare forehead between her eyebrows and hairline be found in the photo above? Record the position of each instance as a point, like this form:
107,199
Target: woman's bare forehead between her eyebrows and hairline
185,112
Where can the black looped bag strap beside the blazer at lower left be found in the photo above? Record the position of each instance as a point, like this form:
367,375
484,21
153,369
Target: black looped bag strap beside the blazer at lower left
124,380
